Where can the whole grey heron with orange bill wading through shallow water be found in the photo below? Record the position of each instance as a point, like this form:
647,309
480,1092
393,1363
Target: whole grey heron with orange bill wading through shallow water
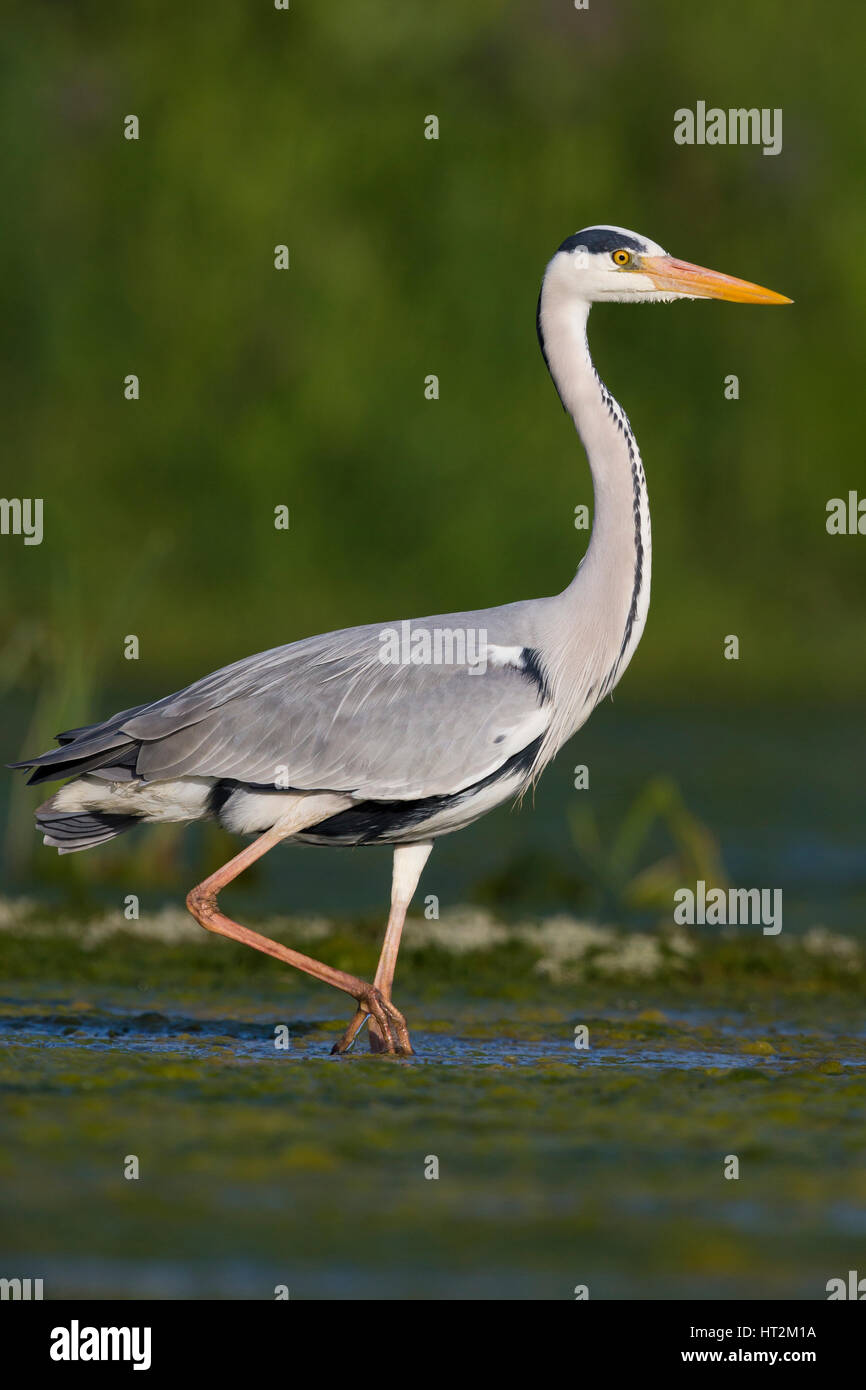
405,732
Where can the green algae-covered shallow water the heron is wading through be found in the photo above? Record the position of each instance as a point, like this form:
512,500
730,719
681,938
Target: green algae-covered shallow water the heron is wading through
557,1166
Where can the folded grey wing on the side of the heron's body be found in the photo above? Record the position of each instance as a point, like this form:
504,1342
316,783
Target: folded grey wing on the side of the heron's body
329,714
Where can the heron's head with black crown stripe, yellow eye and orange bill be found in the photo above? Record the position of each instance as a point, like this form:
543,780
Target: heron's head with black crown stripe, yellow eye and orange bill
610,263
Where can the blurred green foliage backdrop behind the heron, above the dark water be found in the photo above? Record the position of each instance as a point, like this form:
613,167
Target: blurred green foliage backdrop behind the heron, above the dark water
411,256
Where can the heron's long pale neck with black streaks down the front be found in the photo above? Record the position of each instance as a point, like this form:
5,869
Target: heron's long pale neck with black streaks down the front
608,600
